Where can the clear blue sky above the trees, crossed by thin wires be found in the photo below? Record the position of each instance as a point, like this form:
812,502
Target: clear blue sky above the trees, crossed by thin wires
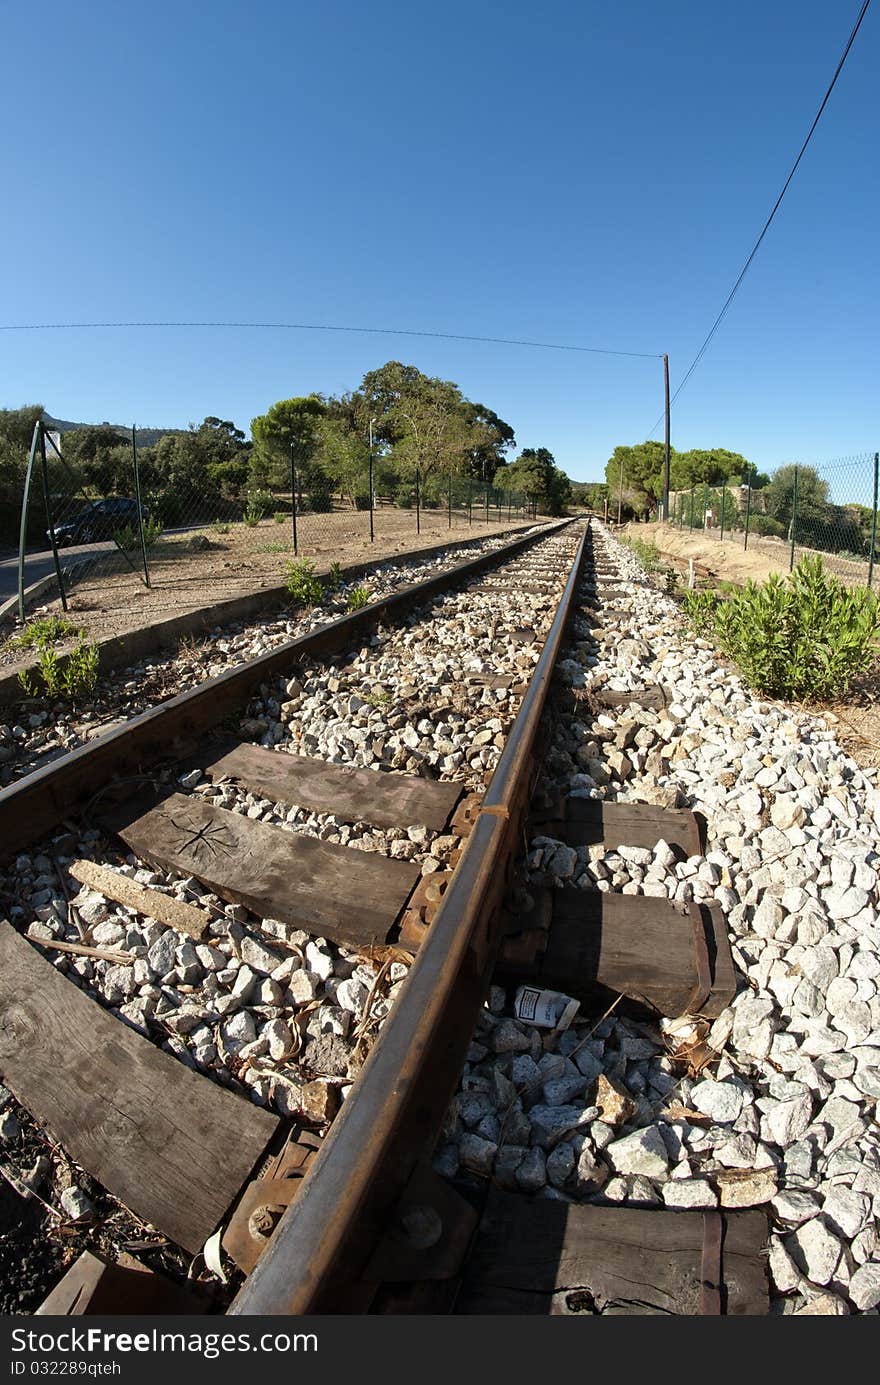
588,172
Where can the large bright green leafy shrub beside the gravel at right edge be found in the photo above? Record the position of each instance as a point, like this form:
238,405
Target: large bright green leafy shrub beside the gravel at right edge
804,638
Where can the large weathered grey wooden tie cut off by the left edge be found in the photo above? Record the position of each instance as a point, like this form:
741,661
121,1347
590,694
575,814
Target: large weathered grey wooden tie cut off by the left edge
167,1142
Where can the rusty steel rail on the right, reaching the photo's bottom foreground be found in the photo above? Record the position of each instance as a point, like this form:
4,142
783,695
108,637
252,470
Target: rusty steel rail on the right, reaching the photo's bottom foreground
322,1247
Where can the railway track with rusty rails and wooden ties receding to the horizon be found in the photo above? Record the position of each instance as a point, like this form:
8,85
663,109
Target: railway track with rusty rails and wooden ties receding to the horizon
278,919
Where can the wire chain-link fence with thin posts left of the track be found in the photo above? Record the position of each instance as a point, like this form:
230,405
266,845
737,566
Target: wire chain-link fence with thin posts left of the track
106,502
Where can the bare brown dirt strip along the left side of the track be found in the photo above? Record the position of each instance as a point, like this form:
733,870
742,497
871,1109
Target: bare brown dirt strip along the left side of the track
245,560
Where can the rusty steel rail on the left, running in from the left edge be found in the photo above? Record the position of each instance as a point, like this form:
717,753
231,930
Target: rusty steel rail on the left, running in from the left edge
38,803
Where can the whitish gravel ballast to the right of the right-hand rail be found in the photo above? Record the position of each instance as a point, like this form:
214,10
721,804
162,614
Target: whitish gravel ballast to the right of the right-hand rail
785,1113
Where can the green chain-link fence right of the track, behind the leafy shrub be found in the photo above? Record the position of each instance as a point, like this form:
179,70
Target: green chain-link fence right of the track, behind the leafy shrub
828,510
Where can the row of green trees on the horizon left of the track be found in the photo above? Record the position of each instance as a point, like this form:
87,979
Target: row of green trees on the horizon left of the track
411,426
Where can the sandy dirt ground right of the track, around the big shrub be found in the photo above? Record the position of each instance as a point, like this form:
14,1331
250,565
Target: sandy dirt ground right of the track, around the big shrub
854,720
